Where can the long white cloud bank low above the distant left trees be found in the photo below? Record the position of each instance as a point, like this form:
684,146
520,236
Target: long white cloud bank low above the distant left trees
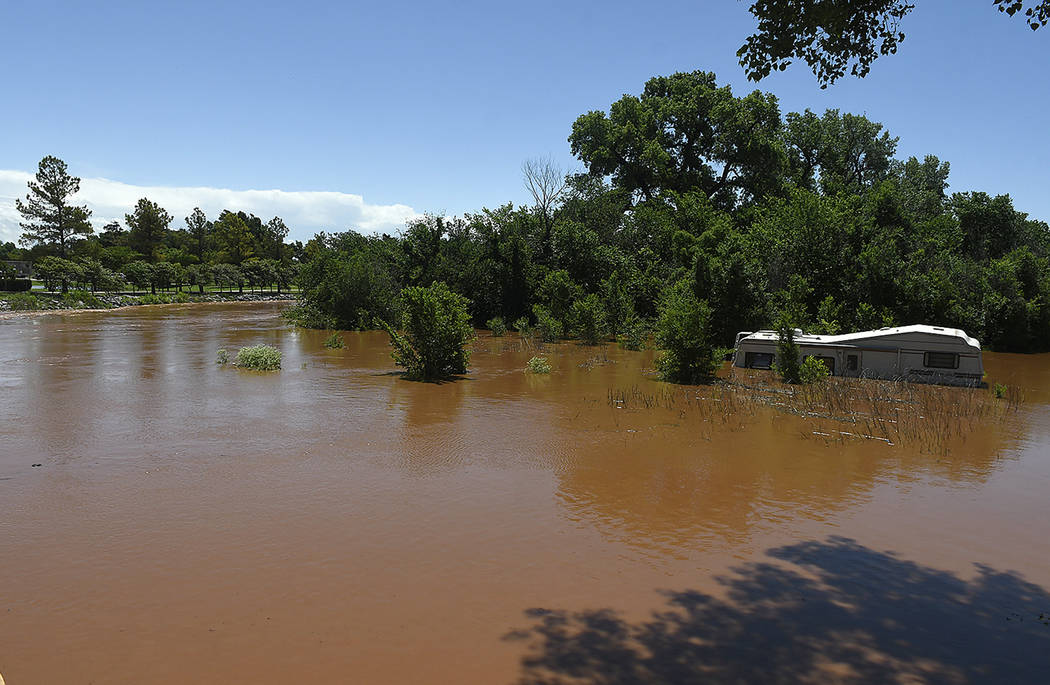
305,213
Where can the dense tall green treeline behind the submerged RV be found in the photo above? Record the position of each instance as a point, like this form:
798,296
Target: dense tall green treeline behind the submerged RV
805,218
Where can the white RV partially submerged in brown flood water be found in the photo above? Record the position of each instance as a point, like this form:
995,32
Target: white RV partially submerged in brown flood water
917,354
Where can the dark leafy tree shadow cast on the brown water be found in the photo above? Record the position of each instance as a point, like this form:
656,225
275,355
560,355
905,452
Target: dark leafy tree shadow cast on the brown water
824,612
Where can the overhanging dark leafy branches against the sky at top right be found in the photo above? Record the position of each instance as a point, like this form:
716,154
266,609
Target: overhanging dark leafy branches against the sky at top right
833,36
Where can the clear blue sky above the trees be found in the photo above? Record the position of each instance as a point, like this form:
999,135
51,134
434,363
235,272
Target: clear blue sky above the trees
402,108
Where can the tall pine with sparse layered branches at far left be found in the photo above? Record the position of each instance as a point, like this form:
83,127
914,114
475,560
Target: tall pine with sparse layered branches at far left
50,219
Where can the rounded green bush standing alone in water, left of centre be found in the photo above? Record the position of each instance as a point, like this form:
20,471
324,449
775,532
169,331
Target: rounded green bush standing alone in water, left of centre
434,334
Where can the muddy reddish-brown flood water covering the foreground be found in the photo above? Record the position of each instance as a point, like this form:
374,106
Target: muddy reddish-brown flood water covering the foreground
334,523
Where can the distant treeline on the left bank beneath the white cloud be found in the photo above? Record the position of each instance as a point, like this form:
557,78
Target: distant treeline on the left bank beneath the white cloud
146,252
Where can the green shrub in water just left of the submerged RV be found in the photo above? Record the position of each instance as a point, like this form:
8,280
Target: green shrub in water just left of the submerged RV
683,331
